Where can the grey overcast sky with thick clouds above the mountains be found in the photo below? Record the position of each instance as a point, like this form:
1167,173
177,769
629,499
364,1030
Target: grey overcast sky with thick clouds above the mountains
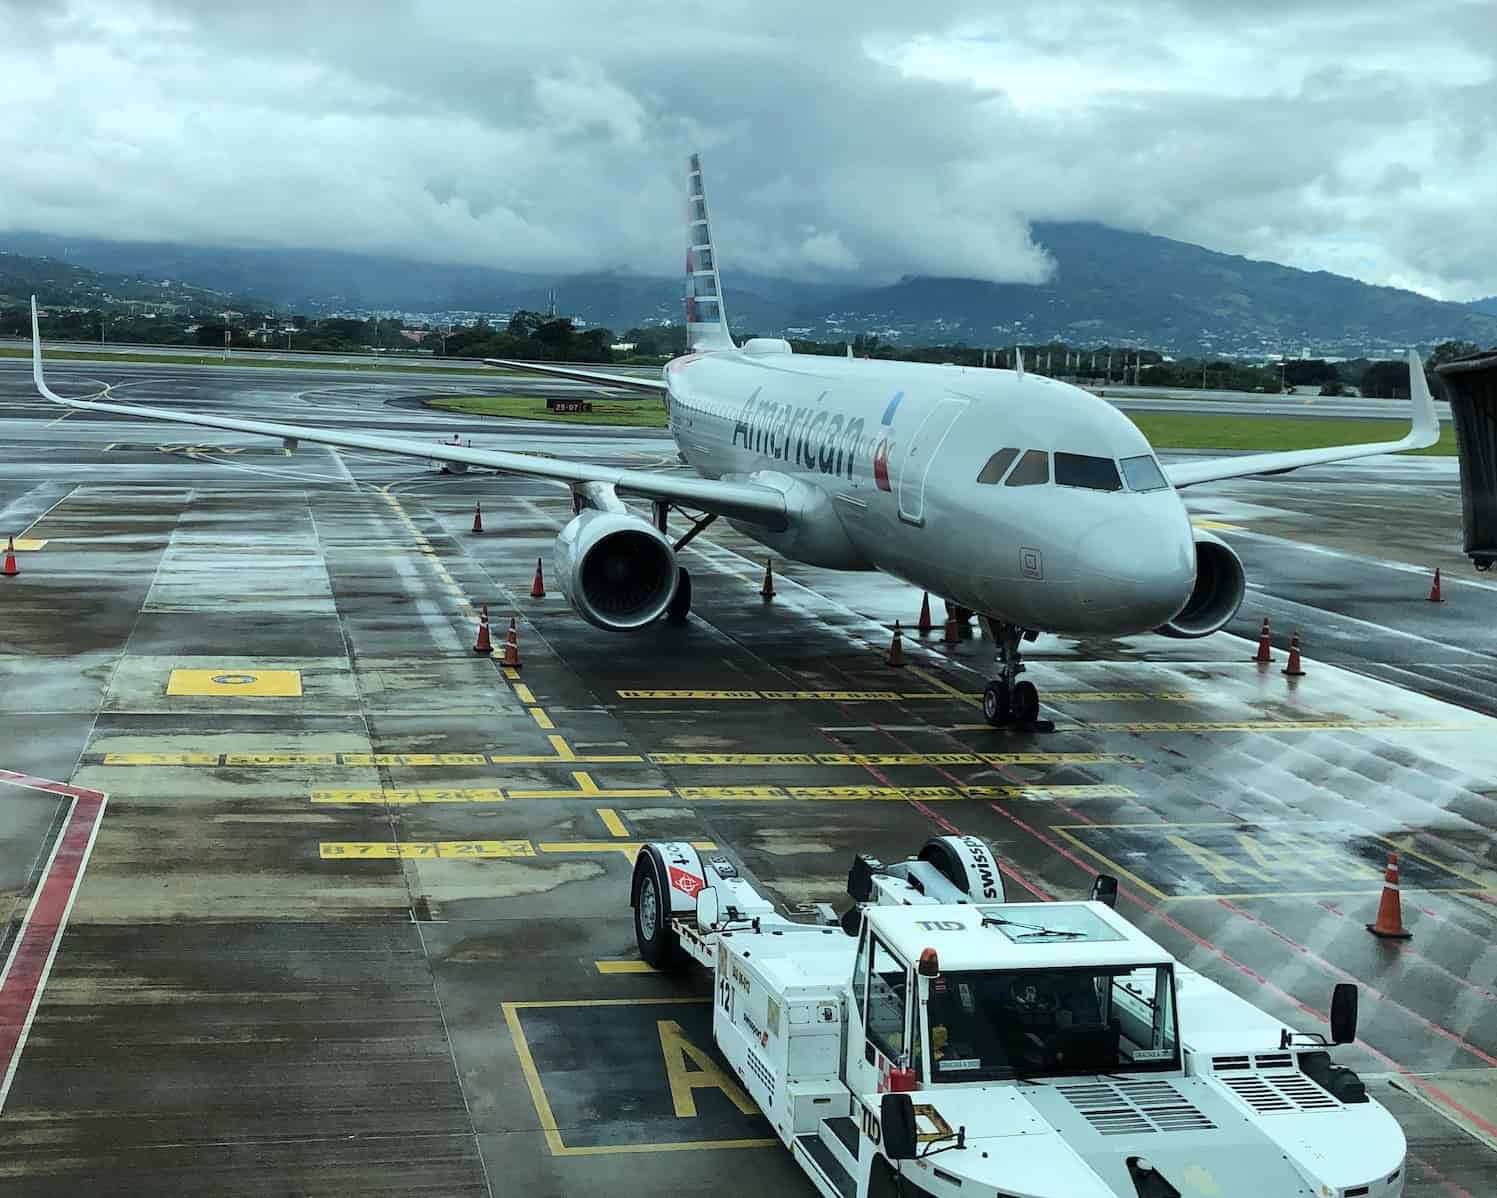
841,140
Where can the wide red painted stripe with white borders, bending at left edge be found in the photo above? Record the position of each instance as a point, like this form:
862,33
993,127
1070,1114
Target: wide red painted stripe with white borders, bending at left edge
35,949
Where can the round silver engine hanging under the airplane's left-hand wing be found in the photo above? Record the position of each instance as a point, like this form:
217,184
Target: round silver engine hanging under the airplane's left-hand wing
618,571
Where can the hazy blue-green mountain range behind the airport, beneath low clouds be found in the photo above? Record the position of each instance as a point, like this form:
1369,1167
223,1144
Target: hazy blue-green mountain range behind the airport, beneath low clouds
1110,287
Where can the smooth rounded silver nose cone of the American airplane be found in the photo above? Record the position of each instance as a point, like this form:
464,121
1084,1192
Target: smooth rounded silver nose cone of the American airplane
1135,574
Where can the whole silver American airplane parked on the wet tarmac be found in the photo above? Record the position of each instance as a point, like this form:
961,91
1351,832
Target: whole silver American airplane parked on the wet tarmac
1023,499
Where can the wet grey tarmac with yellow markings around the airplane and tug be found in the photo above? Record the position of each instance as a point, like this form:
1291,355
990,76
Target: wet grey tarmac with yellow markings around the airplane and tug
356,919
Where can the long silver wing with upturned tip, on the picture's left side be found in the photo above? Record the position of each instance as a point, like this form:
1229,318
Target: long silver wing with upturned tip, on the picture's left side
743,501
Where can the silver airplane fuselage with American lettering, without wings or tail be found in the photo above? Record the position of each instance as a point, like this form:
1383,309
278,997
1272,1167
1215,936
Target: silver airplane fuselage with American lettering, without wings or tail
881,463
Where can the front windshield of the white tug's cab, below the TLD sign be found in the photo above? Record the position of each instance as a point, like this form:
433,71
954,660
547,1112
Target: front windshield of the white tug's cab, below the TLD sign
1034,1024
